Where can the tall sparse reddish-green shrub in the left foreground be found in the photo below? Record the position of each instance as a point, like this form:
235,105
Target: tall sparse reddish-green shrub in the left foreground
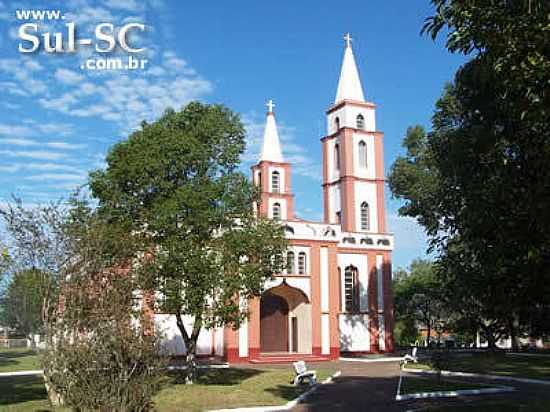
104,355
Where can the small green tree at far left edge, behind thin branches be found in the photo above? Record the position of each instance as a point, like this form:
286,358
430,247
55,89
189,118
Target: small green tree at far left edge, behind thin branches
23,302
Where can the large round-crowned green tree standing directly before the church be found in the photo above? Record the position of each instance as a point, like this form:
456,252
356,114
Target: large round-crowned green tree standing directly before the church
175,185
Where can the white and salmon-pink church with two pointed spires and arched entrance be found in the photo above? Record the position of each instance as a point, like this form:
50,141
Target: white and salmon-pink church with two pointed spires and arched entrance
335,294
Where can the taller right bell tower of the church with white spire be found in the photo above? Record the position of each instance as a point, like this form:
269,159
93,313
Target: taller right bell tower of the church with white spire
353,160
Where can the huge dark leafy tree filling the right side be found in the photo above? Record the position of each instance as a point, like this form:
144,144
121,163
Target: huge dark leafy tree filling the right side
479,180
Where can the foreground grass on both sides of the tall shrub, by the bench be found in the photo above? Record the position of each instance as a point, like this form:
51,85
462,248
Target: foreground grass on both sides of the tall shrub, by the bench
218,388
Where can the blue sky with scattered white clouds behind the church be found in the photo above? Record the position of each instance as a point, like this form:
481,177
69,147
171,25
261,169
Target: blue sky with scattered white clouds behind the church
58,118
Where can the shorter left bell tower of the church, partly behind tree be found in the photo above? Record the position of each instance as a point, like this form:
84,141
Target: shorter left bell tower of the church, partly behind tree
272,174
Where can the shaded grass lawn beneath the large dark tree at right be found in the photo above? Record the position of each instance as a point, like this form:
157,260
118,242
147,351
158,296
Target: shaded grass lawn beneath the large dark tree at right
534,367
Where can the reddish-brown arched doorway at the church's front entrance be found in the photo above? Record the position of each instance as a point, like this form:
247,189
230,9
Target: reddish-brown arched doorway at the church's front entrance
273,323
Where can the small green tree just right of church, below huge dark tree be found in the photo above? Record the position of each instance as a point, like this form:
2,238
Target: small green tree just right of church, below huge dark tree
419,299
